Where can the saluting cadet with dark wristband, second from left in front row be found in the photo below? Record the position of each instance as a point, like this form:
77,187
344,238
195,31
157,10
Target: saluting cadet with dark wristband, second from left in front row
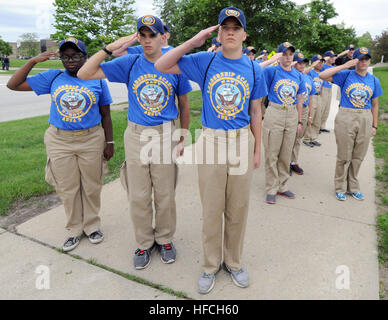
152,114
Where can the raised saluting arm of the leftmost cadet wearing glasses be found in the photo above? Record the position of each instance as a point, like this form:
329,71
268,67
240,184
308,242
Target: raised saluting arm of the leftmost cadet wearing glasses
18,80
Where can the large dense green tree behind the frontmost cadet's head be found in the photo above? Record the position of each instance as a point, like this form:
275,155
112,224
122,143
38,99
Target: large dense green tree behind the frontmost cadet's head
269,22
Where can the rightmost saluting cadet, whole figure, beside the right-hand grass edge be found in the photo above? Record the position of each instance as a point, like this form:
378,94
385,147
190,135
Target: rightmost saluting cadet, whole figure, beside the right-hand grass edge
356,121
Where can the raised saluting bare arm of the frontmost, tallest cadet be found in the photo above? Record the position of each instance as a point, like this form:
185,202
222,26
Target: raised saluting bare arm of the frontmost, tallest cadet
168,63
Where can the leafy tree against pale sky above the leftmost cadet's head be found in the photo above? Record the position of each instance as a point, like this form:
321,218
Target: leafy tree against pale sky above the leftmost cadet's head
96,22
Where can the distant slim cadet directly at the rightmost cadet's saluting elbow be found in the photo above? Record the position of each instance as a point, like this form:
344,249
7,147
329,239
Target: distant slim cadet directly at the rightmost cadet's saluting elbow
310,138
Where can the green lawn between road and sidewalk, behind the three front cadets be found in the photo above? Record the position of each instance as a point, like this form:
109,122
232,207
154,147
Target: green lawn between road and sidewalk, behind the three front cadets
23,155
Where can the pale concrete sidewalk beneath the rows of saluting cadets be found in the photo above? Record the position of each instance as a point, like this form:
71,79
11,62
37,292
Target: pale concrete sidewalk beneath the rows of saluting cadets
292,249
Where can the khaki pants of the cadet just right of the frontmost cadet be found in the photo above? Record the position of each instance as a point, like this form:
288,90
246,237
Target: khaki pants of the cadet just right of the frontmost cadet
279,131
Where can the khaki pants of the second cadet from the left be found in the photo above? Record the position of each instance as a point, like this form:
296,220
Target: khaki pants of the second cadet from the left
150,169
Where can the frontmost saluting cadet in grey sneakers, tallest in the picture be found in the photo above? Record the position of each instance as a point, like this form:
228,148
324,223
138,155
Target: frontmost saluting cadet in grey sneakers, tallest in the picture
232,86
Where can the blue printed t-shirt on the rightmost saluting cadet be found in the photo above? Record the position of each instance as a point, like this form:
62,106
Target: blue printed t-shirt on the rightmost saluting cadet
357,91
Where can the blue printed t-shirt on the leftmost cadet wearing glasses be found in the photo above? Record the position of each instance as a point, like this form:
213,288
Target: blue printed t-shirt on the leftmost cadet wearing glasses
74,102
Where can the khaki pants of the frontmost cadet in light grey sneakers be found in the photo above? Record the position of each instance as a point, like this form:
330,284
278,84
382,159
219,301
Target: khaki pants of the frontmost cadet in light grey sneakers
224,192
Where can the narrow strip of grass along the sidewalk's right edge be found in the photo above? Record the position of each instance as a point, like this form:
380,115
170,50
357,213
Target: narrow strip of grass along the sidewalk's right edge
381,152
